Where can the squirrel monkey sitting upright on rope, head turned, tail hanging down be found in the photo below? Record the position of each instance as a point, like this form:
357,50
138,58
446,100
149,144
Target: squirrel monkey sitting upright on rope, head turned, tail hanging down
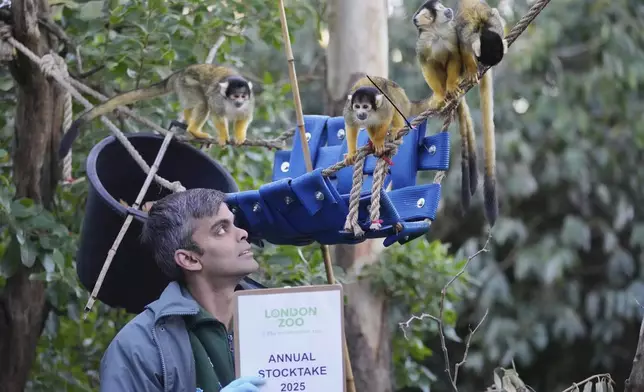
438,55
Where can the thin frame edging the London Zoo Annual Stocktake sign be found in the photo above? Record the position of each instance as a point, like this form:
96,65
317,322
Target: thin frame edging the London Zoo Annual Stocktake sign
285,290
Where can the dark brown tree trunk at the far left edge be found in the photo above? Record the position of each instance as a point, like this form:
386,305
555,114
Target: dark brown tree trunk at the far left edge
38,124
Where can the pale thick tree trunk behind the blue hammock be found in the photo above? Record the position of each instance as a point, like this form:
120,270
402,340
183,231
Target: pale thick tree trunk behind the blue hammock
359,44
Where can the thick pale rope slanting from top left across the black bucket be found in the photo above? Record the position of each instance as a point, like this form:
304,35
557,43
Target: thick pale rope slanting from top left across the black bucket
51,70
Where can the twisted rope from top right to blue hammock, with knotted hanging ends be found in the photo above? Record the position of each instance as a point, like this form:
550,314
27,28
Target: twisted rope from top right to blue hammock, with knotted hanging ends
391,148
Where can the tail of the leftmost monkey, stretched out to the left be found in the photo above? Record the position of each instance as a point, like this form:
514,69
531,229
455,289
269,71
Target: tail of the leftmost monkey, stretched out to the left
158,89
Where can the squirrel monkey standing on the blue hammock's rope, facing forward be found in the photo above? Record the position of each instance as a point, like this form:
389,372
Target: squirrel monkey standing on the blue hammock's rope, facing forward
367,107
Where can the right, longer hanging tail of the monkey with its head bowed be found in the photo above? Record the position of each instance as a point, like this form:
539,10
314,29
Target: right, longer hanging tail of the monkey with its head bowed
489,180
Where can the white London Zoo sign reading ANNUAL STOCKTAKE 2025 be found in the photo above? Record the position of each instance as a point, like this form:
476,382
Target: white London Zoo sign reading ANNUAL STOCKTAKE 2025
292,337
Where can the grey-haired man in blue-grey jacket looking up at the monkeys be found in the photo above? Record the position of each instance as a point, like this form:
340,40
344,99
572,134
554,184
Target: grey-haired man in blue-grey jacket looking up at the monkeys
180,341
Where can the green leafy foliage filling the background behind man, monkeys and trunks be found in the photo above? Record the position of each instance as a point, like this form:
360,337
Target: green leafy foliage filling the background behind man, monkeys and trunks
565,265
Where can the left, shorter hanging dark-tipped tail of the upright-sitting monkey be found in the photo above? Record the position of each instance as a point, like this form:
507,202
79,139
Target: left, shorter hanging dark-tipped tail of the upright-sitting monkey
469,169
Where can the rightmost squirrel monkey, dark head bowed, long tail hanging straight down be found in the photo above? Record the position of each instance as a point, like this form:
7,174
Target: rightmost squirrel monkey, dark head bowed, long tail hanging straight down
480,30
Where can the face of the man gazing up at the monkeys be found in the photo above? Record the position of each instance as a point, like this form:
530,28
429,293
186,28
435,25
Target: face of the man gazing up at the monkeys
226,253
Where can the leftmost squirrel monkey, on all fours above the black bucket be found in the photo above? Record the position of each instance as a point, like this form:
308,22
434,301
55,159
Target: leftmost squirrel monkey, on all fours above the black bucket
203,90
